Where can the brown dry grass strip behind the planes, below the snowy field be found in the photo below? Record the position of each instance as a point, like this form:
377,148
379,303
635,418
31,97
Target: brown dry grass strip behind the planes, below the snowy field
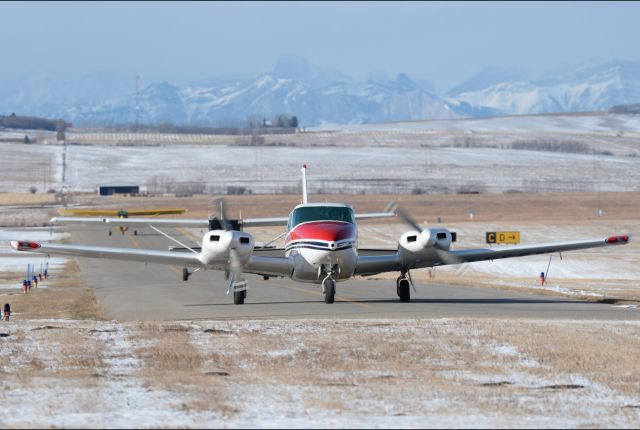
571,207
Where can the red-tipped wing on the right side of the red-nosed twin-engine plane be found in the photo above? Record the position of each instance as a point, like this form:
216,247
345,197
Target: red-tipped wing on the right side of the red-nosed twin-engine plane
371,262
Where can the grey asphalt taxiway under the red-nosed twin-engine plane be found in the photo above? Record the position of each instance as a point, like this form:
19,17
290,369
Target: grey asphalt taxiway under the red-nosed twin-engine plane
137,291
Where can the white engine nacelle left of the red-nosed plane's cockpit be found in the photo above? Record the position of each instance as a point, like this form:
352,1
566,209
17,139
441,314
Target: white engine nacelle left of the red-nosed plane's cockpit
216,245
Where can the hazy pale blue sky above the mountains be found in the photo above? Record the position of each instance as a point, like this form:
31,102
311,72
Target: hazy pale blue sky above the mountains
444,42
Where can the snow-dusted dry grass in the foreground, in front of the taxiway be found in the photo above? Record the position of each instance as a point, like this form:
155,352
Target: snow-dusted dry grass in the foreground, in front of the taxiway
336,374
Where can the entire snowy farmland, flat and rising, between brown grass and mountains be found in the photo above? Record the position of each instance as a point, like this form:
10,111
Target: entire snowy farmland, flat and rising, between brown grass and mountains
429,156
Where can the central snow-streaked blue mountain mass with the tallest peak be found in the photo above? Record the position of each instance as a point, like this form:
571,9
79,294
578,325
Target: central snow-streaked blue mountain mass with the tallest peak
315,96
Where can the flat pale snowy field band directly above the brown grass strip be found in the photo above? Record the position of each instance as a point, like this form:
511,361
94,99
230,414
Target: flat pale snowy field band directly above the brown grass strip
344,169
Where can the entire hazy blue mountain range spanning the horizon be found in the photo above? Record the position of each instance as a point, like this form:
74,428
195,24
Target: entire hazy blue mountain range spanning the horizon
318,96
